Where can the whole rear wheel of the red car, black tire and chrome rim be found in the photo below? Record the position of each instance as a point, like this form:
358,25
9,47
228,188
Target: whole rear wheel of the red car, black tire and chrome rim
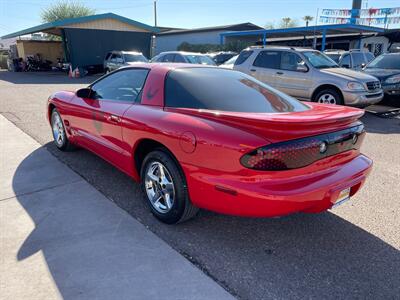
156,186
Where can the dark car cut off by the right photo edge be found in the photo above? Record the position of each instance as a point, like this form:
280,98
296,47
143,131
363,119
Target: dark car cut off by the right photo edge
386,68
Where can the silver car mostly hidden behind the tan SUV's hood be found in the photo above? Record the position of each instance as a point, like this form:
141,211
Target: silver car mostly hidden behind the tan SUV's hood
352,59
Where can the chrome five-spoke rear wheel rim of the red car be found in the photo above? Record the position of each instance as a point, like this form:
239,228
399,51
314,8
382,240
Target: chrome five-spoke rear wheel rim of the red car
159,187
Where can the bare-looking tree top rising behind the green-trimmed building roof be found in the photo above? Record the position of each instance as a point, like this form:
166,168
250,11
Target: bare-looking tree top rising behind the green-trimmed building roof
64,10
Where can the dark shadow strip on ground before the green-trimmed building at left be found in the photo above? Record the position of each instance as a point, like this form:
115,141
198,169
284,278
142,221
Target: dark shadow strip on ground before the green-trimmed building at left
44,78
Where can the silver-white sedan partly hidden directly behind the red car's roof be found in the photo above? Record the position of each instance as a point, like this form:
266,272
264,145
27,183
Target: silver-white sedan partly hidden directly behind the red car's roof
184,57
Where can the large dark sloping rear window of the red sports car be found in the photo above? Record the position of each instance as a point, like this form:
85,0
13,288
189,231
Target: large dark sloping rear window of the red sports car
224,90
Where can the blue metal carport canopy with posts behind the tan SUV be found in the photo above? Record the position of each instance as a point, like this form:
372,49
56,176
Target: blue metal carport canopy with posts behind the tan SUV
318,30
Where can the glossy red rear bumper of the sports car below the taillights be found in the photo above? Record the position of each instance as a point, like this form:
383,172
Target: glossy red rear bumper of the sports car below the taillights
301,190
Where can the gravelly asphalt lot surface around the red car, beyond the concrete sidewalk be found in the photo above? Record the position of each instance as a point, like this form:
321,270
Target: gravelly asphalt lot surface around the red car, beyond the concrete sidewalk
349,252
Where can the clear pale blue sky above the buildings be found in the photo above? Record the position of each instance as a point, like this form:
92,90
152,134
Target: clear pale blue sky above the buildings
20,14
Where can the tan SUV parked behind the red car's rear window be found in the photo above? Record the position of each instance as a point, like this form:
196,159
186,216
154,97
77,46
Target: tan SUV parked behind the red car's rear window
309,75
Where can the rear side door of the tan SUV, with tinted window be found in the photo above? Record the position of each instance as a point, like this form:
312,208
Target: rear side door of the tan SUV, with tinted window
266,66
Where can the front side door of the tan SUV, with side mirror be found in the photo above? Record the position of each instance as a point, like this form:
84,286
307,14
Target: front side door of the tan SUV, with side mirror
293,76
